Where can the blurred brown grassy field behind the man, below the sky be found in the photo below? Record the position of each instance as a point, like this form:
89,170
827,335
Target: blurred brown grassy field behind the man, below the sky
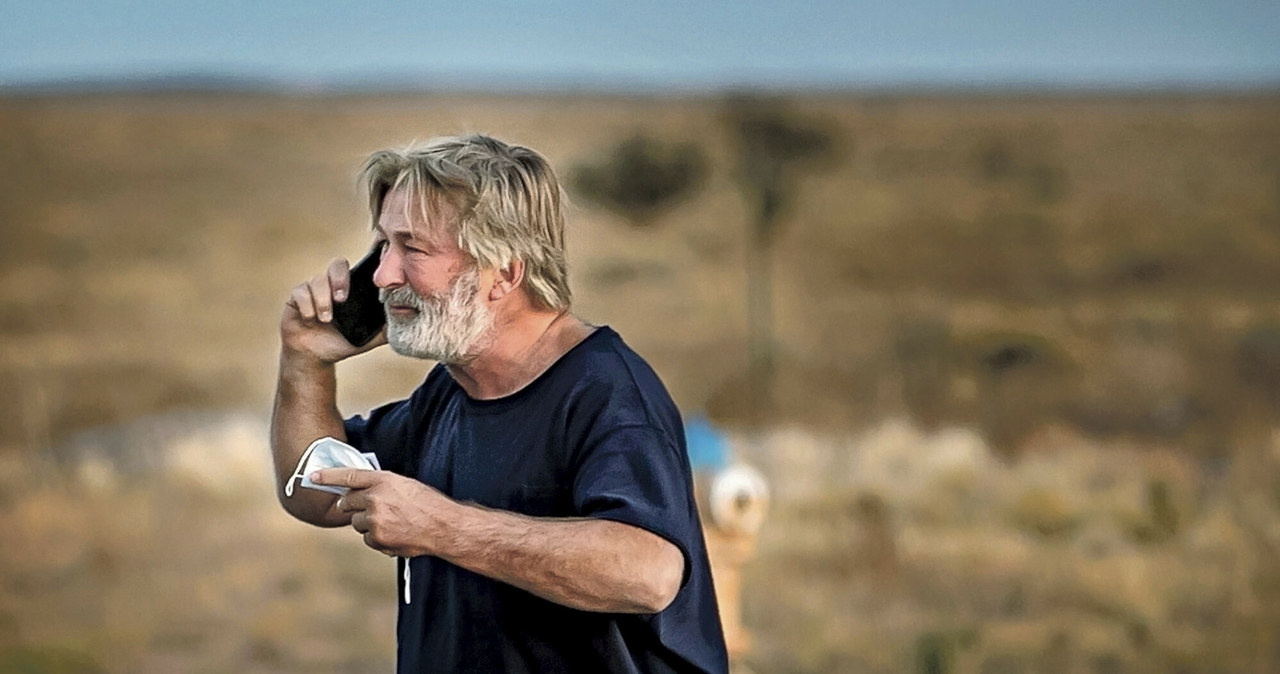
1025,418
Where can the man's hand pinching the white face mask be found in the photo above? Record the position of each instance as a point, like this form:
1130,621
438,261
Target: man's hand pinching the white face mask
396,515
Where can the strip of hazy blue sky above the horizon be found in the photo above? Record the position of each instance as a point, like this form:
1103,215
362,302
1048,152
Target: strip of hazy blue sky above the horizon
650,44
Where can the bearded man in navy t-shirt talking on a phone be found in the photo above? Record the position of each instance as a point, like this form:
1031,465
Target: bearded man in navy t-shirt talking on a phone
537,489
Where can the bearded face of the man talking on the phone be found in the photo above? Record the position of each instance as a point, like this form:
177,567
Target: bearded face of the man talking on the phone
429,287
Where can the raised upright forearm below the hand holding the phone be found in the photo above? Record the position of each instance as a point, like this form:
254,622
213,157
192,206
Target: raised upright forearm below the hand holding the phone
305,410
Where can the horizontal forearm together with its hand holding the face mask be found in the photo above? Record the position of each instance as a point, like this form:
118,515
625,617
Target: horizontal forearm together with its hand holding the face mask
583,563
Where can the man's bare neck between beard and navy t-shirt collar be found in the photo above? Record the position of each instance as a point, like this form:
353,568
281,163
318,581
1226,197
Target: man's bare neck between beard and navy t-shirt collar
523,350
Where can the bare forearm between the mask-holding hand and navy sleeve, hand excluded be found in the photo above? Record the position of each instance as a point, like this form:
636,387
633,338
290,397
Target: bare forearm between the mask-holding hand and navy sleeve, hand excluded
587,565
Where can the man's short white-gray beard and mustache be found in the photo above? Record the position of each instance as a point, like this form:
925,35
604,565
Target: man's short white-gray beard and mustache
450,327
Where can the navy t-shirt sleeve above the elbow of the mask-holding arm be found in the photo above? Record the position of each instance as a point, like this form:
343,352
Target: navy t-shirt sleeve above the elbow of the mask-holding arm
634,475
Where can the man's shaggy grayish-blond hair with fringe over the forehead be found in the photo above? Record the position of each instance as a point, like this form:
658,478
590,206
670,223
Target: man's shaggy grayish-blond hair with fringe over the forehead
508,198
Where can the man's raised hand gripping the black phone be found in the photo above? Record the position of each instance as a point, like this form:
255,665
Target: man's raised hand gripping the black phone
307,324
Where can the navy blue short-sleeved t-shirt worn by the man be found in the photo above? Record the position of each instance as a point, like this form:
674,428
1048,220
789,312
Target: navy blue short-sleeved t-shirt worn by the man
597,435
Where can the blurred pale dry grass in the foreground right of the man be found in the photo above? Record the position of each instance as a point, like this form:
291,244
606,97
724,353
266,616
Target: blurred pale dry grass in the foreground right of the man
900,547
